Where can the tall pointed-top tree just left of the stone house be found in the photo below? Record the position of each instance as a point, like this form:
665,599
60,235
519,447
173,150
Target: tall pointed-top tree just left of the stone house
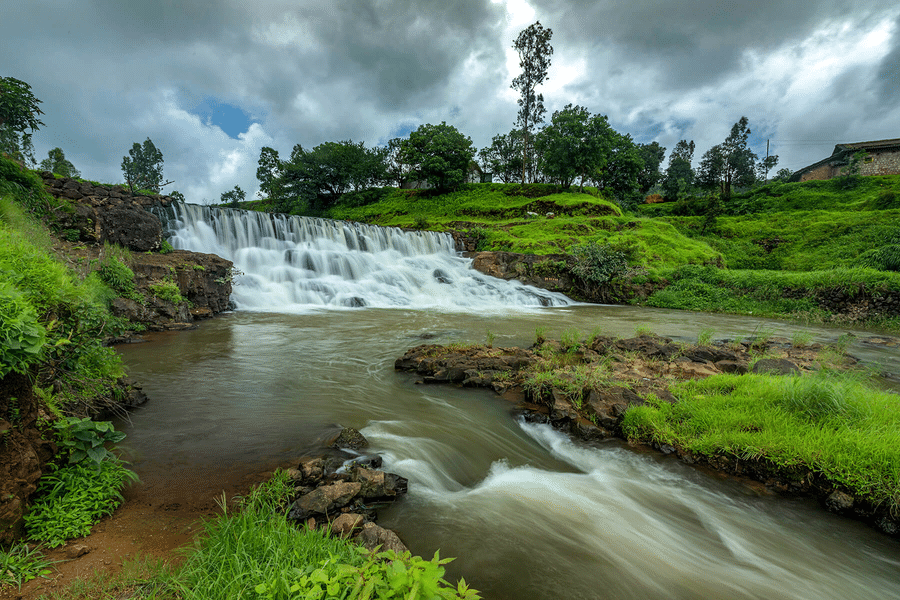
729,164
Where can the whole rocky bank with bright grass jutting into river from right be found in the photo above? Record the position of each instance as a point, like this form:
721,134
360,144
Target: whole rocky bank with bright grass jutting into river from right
797,417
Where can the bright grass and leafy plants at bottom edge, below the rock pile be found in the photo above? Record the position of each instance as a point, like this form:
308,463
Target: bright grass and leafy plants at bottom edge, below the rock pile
256,553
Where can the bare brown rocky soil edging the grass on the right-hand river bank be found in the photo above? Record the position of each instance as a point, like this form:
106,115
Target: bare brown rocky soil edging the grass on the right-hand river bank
587,388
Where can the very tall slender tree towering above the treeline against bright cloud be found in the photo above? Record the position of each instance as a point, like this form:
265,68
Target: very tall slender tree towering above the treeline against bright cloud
534,49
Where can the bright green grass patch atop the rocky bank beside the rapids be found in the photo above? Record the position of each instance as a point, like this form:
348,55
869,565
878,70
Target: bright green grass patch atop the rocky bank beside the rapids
838,426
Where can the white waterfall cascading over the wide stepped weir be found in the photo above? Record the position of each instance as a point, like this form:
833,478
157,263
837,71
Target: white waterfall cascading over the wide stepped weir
291,264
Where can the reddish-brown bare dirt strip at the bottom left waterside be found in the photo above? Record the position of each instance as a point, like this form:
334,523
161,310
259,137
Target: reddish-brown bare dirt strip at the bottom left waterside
157,520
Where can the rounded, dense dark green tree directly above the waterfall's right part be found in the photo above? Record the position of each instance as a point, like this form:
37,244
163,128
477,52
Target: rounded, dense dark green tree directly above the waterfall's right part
439,155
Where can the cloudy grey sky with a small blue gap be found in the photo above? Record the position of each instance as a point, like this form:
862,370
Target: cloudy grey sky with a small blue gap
213,81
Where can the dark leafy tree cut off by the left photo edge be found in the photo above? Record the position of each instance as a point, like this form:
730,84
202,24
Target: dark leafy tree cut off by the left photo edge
19,112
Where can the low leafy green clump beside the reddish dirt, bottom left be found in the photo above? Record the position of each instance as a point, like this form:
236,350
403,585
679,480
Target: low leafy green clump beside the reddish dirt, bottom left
72,498
